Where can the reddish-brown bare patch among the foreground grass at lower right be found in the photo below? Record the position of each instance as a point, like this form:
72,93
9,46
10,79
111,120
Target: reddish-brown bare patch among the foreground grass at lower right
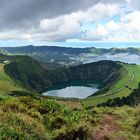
108,126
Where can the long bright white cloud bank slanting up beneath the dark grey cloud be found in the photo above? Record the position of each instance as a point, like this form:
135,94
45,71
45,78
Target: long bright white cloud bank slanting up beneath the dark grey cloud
64,27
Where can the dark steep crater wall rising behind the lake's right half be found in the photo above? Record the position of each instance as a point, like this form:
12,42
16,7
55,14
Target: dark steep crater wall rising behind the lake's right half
105,71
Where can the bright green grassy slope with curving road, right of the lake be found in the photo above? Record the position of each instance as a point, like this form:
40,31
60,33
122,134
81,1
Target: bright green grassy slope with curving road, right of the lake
125,92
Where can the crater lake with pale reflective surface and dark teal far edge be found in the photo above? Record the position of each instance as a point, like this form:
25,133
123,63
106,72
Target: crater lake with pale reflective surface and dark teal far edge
74,89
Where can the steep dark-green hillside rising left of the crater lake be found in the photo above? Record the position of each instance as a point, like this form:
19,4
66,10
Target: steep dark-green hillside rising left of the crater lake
28,71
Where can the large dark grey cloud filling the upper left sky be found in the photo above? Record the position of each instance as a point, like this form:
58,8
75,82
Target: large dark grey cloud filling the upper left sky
24,13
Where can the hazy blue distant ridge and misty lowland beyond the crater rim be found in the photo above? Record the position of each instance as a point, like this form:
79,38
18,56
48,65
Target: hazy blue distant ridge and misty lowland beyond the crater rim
74,56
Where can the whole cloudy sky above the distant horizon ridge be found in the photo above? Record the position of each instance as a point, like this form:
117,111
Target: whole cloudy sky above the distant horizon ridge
70,22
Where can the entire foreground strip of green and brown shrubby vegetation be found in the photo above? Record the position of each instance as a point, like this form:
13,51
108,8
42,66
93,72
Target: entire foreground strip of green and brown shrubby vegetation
41,118
